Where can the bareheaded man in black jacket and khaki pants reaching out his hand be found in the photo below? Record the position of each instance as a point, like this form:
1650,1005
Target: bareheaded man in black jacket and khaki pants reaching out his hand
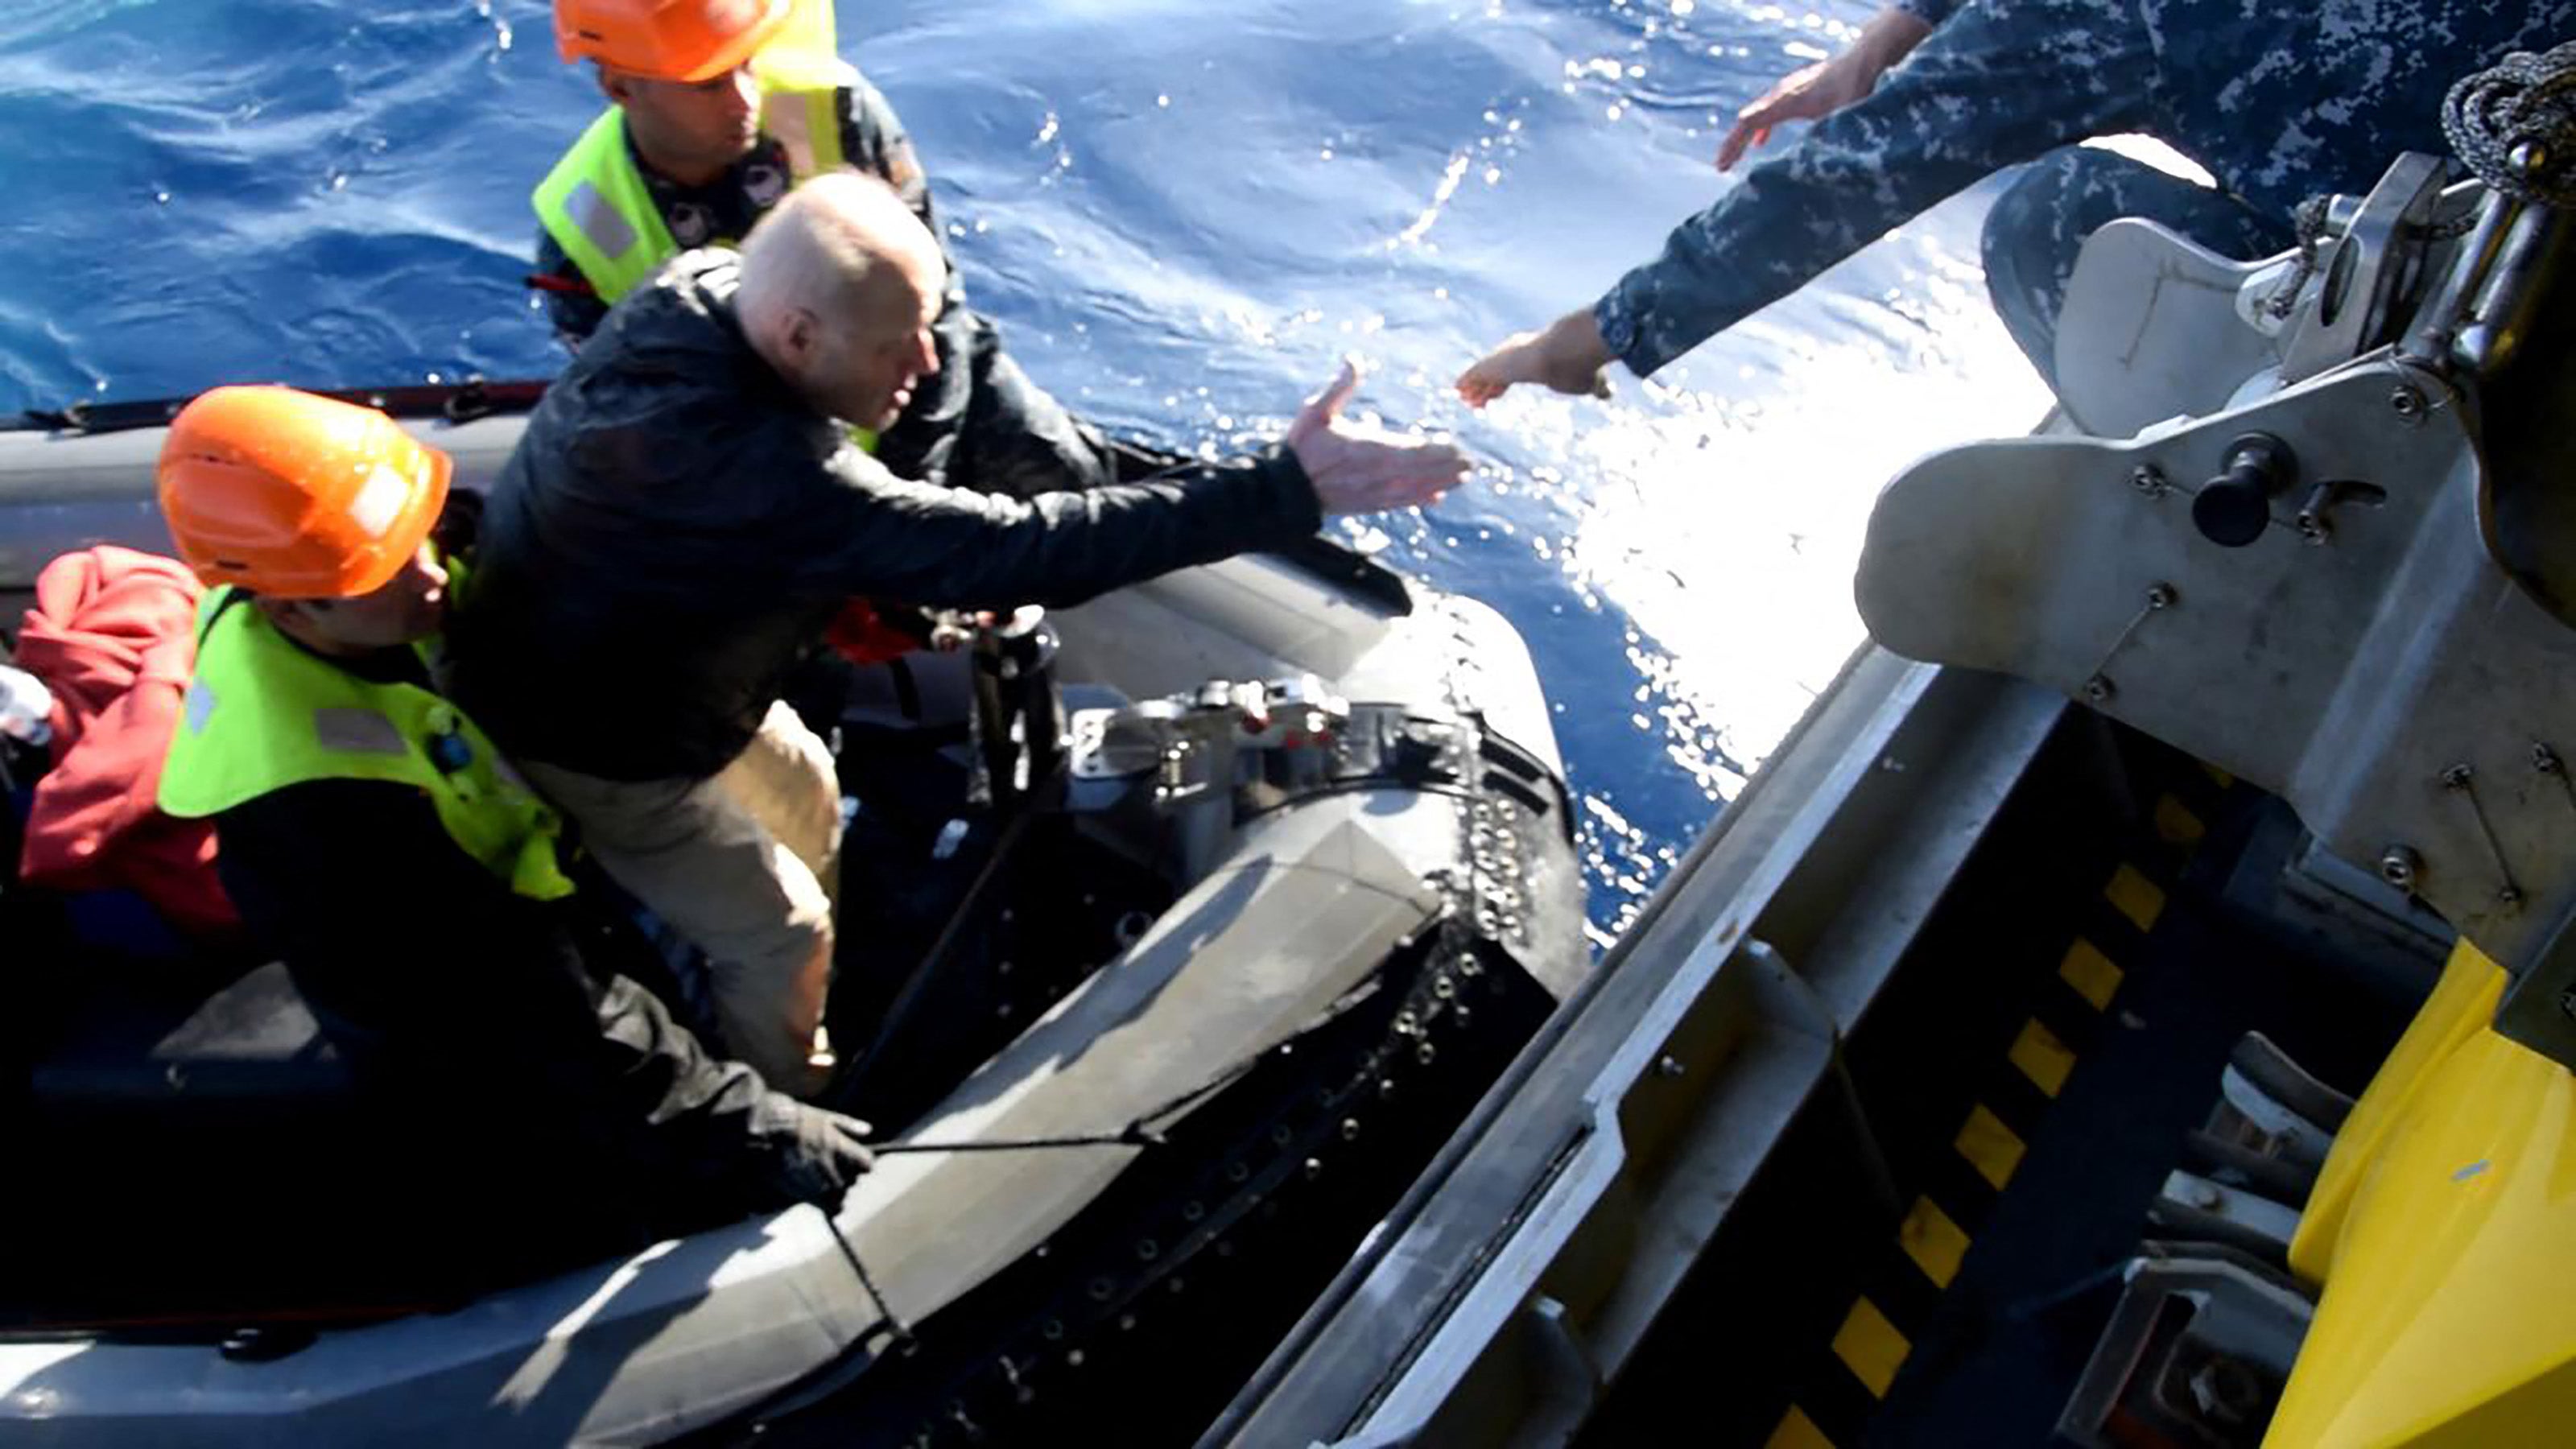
689,512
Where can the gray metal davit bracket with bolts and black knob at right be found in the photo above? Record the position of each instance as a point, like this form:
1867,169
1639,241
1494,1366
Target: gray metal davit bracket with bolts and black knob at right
2358,651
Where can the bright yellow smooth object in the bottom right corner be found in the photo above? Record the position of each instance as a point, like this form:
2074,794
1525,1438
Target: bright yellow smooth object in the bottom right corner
2446,1236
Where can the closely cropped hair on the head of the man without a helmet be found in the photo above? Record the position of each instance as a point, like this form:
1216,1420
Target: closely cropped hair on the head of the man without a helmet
820,249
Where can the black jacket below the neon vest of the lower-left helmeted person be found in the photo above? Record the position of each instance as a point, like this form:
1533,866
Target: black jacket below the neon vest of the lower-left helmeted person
537,1092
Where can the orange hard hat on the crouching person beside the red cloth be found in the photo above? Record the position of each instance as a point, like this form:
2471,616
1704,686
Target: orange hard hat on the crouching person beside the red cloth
298,496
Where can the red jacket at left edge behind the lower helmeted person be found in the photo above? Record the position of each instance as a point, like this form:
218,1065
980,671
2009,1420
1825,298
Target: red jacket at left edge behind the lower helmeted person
115,638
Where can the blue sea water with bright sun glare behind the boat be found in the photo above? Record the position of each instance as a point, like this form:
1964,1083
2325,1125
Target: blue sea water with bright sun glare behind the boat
1181,213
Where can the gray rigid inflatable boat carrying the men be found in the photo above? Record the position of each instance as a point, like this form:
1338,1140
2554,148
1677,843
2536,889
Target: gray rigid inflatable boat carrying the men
1274,873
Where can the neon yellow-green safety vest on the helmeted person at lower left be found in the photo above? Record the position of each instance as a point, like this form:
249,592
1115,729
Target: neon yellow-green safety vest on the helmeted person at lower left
267,715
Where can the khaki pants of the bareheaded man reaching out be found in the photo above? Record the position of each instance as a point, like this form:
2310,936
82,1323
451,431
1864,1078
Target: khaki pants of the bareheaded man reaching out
746,865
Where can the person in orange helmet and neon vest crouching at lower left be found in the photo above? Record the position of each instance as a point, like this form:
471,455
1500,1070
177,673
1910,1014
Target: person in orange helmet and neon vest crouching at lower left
413,886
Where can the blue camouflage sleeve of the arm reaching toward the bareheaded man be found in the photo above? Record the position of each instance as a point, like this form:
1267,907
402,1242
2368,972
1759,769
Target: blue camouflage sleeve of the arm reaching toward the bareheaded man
2003,84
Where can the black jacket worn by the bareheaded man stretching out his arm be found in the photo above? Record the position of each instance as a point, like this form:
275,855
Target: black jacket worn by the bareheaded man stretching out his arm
679,527
